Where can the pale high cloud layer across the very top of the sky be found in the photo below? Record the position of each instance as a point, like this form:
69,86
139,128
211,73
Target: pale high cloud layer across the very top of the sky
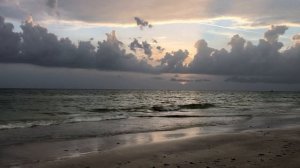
257,12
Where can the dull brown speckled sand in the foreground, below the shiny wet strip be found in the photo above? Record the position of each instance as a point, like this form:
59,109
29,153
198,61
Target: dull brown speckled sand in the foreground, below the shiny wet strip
260,148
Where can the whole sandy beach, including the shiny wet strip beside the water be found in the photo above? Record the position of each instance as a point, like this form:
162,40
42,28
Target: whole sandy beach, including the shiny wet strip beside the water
165,150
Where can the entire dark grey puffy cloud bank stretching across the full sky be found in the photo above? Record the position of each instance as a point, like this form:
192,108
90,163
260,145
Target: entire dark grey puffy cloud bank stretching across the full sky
35,45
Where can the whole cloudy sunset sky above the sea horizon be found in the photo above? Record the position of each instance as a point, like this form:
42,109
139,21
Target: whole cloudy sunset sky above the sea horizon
150,44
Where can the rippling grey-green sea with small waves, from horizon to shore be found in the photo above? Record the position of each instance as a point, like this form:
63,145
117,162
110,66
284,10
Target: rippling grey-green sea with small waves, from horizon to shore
28,115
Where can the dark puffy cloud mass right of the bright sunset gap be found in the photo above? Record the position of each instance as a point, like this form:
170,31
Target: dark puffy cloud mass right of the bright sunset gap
245,58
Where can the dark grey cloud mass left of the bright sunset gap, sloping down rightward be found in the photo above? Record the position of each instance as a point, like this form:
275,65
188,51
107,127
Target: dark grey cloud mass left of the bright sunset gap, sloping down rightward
39,47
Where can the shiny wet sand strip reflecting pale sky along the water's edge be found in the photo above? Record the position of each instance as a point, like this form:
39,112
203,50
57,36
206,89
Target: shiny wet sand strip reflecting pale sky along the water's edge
49,151
